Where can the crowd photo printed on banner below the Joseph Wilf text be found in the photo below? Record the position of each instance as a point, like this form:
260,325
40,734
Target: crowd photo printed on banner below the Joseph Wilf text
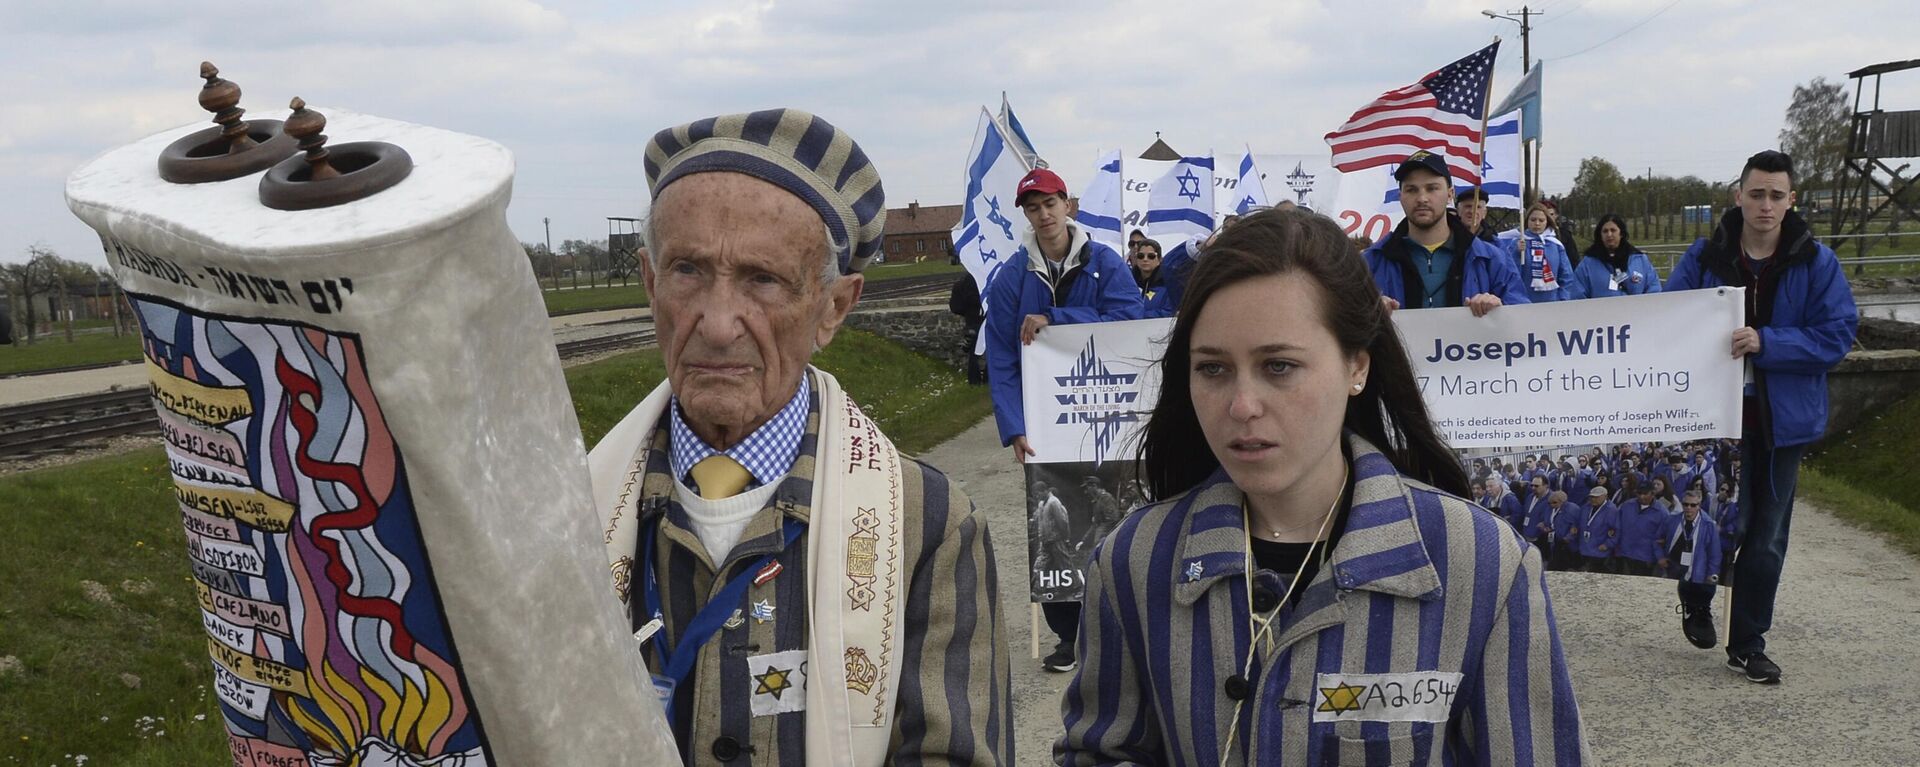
1668,510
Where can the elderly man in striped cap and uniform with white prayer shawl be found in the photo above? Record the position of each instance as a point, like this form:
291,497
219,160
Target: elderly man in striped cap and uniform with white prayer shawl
802,593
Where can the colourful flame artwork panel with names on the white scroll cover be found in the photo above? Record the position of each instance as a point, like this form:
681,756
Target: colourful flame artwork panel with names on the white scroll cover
327,637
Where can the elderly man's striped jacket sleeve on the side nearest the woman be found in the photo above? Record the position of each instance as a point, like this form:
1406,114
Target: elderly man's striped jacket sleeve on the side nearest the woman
955,703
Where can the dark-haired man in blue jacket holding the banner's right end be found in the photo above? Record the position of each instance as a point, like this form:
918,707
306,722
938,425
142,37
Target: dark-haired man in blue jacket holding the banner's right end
1800,322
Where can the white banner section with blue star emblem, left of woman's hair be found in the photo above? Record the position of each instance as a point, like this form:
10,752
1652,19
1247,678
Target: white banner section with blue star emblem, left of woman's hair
1088,389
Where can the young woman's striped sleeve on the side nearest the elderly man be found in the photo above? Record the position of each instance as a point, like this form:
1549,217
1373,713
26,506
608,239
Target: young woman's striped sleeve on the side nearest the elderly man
1107,712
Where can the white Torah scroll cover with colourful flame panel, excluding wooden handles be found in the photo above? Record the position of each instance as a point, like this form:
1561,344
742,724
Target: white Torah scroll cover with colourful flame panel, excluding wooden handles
377,466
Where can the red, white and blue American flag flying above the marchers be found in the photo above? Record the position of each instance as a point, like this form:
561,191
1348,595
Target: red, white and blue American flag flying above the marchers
1441,114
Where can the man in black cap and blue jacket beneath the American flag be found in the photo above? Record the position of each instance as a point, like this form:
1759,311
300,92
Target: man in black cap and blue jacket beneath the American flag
1431,259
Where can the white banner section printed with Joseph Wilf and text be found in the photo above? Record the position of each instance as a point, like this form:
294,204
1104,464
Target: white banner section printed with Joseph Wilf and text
1604,370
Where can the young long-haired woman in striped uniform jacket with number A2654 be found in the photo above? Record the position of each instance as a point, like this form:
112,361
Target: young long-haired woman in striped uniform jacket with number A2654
1312,585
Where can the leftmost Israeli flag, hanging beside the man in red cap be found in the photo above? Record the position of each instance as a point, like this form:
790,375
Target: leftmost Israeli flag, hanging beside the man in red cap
986,237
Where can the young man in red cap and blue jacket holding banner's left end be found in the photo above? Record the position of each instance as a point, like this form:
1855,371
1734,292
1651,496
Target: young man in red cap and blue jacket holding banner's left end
1057,278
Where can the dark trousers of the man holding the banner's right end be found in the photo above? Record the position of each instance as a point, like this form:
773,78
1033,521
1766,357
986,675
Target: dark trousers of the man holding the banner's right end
1767,503
